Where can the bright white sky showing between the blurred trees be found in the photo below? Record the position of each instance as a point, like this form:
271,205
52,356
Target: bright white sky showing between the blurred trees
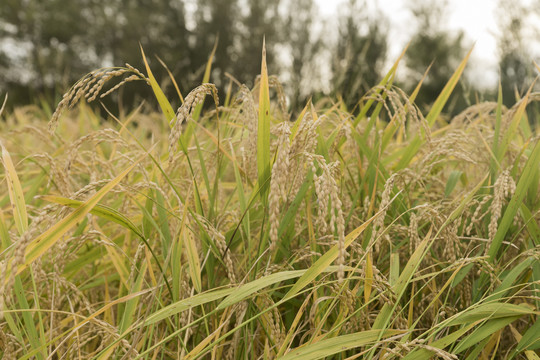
476,18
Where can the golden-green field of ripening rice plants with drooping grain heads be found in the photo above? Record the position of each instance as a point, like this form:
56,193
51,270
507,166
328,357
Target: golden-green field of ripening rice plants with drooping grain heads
232,229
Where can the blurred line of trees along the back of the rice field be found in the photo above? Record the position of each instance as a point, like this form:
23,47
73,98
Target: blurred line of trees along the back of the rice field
45,46
